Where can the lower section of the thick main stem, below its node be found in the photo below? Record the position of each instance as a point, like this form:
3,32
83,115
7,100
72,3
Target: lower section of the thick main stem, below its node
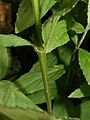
42,58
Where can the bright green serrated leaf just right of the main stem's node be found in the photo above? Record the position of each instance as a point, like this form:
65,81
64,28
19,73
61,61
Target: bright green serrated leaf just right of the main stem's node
58,35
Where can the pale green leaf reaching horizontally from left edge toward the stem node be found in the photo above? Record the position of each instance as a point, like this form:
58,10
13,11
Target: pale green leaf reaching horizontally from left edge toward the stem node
13,40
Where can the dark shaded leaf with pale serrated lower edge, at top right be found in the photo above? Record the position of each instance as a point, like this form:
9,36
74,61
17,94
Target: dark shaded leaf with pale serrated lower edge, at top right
64,8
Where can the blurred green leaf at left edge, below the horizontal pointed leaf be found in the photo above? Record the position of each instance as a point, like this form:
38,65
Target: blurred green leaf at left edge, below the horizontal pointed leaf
4,61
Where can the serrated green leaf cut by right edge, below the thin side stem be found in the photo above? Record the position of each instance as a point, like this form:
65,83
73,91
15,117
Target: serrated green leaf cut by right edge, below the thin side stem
84,61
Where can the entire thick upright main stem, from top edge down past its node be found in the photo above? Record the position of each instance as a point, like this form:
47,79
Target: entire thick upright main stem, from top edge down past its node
41,54
